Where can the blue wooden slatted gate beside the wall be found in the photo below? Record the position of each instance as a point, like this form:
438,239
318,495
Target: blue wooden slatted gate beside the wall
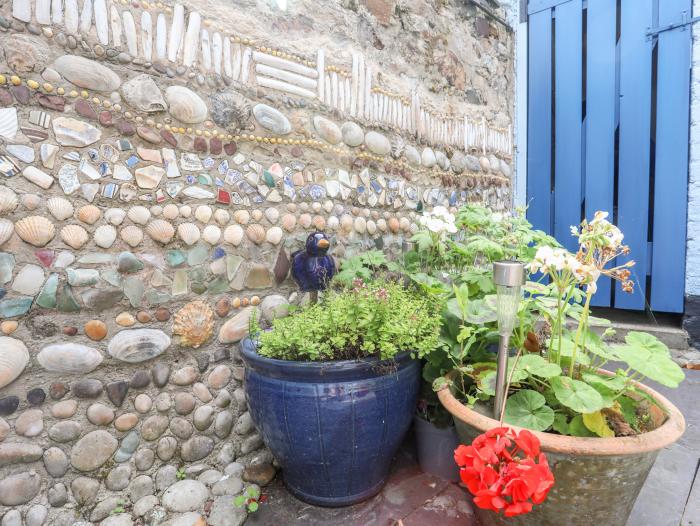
608,122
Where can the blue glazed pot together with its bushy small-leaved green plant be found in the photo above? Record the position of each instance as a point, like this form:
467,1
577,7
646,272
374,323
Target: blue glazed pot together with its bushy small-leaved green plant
333,387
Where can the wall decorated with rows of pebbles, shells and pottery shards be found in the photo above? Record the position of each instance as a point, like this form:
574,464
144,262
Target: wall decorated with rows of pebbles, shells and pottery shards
159,165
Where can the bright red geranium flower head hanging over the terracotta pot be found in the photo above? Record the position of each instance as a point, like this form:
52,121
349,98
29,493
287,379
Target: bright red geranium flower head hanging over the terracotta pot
505,471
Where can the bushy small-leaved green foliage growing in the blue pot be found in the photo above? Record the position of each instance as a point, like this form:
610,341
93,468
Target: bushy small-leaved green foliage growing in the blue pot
378,319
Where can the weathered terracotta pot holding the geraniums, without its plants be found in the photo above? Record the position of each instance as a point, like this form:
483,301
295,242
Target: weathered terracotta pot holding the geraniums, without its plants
597,480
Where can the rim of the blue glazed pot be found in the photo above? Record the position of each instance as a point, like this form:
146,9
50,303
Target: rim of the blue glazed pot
330,371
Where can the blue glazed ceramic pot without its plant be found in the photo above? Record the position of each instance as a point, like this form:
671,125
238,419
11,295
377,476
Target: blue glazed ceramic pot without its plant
333,426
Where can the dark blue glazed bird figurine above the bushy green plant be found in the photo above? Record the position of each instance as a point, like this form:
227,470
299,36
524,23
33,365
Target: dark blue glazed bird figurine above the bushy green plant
313,268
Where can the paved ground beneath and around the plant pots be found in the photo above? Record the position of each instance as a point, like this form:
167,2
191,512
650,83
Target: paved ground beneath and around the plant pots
671,496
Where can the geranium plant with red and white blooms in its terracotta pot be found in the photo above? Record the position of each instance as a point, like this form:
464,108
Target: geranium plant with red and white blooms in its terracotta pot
599,430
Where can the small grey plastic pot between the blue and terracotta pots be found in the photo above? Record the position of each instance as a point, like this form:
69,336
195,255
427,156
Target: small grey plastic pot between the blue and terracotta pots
435,447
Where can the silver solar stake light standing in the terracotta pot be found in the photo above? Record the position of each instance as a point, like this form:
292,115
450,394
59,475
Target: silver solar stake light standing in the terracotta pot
509,277
